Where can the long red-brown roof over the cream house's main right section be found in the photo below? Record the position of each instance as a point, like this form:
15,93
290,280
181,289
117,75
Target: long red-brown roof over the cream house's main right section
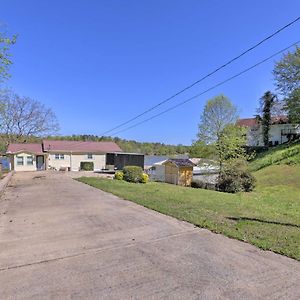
78,146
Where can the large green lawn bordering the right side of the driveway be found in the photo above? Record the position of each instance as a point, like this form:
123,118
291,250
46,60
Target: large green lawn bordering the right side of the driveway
269,217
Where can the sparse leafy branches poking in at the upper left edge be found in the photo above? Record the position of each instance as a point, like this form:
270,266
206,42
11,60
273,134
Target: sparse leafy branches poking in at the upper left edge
5,56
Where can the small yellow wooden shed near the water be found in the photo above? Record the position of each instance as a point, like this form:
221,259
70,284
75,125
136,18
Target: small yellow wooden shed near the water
179,171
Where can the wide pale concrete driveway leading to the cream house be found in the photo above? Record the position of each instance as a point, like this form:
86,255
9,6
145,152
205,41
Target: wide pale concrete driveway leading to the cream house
61,239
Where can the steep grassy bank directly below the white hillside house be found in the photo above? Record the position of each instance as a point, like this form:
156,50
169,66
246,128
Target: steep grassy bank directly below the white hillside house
283,154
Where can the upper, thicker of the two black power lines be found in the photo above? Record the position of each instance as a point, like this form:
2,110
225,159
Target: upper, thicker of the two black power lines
204,77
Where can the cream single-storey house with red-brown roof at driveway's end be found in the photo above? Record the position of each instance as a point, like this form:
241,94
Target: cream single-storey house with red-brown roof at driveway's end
57,155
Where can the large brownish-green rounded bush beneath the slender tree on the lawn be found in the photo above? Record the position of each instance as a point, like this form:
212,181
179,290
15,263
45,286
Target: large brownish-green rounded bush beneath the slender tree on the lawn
234,180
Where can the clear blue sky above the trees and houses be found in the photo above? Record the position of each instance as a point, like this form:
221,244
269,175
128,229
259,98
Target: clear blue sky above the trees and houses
98,63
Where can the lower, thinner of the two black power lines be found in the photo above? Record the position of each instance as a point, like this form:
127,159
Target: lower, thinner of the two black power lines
209,89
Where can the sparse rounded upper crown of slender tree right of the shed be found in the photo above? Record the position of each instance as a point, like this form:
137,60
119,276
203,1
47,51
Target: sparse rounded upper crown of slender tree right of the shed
217,114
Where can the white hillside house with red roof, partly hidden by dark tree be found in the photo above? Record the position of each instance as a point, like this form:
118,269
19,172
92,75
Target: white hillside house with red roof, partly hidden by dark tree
281,131
